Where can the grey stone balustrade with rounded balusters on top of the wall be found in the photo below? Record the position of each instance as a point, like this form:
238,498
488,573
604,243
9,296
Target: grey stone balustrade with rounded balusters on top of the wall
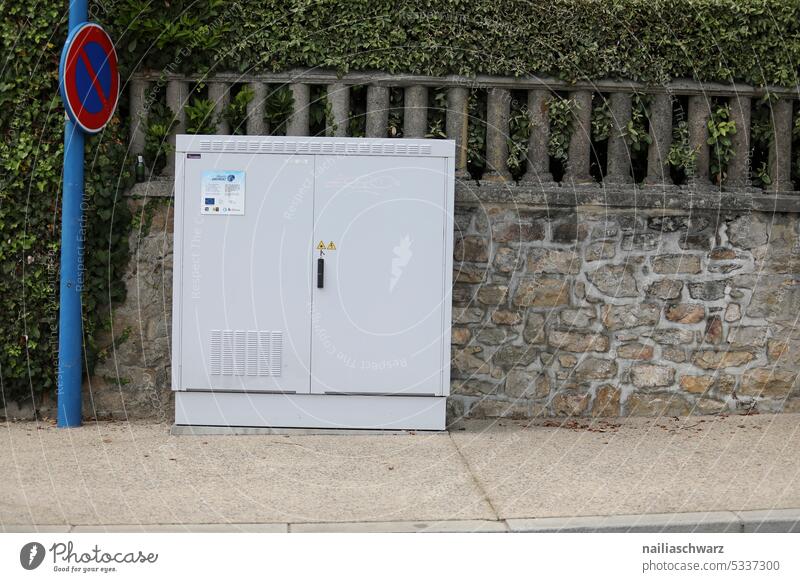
618,167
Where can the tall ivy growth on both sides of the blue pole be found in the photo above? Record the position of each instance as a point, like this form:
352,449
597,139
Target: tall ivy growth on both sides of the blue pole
31,122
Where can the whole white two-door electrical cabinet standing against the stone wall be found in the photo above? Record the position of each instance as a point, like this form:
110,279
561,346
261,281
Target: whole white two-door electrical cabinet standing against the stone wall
312,282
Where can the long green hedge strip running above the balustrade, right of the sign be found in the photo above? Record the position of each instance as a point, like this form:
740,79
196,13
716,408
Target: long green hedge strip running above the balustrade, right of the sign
650,40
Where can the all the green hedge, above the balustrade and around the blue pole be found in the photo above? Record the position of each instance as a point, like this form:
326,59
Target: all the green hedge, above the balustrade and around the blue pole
756,41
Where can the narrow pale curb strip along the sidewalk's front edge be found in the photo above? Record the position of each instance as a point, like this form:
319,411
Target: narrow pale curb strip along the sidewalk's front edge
753,521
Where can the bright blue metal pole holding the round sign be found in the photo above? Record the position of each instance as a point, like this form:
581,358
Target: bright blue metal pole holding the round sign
70,336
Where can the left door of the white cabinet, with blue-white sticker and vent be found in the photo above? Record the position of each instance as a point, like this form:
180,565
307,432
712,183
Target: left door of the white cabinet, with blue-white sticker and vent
246,279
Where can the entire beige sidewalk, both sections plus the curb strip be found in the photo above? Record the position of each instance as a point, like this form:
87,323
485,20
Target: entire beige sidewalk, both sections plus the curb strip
689,474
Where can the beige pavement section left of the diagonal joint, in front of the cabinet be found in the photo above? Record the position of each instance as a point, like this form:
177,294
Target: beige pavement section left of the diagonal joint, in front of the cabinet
137,473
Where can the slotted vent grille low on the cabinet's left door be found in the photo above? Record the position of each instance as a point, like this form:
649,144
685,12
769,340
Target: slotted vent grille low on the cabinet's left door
245,353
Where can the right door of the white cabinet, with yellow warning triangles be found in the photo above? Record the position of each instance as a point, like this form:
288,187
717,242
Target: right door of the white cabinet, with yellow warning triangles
377,324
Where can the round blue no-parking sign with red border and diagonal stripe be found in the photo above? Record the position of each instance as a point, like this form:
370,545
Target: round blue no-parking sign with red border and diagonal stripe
88,77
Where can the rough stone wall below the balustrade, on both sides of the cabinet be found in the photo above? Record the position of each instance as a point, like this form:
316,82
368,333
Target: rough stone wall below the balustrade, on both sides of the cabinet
559,310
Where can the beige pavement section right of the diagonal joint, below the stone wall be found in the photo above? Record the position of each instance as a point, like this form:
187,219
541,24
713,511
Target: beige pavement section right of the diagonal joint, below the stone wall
635,466
